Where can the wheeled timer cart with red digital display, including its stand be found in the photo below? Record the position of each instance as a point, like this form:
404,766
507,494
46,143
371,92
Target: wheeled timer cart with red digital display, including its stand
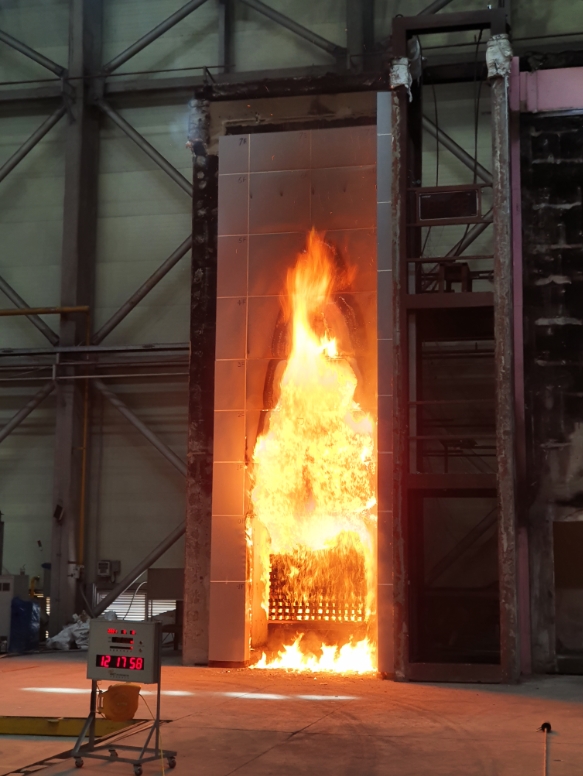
123,651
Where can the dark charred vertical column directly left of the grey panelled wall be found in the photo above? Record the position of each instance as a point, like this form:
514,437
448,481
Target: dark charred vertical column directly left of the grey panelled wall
201,390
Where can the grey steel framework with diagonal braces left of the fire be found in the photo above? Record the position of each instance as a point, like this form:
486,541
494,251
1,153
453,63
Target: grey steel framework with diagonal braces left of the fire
82,92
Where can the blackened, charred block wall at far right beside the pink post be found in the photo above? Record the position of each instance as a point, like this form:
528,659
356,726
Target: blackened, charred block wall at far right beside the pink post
552,217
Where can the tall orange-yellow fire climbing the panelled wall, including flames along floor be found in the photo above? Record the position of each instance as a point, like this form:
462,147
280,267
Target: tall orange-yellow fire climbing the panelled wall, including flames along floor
314,469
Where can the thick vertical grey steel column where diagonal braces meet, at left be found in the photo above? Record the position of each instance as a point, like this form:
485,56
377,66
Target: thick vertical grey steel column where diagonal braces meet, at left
77,273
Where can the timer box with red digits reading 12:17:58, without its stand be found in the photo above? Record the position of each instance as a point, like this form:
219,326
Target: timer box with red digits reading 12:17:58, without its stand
124,651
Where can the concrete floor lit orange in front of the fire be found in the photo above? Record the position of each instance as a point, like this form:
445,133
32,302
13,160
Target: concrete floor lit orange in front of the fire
261,723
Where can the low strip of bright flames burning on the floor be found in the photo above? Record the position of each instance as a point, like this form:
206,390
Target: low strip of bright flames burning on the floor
358,657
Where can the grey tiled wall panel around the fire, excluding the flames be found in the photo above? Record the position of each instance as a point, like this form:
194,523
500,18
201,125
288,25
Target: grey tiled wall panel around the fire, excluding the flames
273,188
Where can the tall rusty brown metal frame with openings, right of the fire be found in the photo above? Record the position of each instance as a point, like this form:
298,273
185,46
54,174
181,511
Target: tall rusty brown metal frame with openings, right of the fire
405,125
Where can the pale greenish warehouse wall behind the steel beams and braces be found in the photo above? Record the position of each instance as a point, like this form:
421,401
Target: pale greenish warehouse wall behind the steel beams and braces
135,497
